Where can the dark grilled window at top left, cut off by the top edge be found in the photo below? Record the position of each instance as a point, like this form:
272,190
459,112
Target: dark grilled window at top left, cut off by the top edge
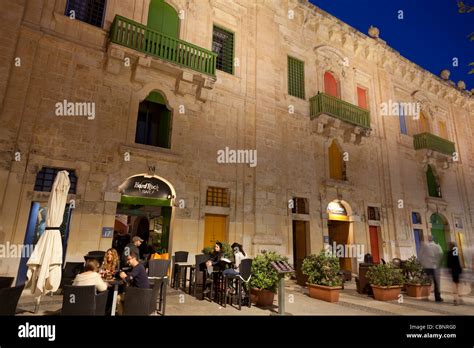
89,11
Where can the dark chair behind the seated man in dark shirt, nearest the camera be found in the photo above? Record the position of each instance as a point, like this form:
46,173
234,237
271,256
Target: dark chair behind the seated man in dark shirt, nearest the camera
140,301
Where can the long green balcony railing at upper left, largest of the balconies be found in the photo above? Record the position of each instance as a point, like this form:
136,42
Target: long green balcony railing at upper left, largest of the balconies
139,37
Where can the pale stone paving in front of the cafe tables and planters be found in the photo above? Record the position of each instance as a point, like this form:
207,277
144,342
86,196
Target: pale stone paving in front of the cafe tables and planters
297,303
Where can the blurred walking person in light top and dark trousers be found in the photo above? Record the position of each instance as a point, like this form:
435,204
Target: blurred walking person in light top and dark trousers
430,258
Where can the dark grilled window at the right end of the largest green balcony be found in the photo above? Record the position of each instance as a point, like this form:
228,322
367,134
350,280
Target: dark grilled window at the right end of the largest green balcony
223,45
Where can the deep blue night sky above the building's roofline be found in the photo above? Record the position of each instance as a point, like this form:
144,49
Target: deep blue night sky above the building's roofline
431,34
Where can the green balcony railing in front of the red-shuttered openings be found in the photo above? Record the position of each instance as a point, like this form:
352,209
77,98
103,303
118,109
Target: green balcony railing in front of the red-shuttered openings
322,103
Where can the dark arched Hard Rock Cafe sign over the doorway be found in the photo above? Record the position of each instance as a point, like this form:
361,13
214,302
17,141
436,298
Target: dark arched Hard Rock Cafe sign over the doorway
143,186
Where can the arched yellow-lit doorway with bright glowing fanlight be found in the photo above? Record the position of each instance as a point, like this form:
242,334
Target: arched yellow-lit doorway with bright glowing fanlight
340,233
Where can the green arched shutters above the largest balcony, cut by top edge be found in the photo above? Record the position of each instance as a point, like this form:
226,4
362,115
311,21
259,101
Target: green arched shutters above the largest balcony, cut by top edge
163,18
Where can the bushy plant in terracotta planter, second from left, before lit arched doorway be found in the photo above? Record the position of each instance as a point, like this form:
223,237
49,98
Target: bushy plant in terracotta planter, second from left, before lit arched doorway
324,281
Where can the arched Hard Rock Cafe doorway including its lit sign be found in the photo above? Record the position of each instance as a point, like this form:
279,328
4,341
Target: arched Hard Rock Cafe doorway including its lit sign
146,206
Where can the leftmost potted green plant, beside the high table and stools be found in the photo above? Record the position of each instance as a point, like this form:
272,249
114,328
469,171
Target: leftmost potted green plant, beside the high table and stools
264,280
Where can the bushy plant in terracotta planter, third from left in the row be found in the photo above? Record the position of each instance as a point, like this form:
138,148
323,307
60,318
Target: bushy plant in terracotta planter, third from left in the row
386,281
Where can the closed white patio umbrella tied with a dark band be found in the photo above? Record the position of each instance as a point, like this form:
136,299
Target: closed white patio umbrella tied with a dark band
44,265
